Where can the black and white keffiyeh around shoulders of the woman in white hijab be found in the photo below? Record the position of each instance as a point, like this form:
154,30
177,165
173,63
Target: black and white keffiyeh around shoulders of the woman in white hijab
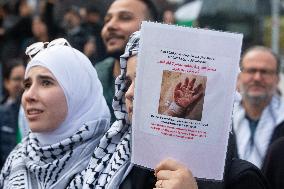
31,165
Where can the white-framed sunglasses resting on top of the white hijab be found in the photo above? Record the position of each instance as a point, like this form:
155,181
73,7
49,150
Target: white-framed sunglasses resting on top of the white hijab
35,48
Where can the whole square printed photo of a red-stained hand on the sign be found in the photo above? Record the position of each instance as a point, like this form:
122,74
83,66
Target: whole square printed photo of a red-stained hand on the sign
182,95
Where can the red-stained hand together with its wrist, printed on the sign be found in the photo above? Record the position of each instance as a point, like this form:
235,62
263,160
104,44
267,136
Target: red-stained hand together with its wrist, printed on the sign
184,95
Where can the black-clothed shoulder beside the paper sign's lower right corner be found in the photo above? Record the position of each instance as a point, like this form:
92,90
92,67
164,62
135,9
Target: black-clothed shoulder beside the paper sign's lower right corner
243,174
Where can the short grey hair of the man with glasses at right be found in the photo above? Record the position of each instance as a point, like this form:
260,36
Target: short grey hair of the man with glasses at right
264,49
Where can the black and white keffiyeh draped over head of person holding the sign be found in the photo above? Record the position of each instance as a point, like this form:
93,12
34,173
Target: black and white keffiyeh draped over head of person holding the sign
111,160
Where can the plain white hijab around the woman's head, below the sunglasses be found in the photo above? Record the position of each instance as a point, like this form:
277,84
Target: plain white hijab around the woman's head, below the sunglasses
82,88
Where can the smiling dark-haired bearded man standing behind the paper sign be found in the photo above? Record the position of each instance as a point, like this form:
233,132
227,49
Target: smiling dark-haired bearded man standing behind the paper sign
122,19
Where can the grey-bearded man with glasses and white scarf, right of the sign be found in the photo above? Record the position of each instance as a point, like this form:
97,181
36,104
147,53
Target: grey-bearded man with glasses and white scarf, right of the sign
259,116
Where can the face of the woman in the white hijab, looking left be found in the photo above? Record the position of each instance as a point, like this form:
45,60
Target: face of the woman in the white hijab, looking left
43,100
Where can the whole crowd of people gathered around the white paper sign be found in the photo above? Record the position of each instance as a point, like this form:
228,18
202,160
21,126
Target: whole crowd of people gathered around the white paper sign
76,133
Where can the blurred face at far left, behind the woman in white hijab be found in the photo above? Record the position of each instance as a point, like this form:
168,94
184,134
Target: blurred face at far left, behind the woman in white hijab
14,84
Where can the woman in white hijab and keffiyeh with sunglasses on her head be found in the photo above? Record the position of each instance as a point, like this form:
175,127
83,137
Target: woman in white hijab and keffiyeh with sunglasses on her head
67,115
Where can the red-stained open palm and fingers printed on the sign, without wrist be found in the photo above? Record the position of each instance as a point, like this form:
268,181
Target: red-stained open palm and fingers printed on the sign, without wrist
185,94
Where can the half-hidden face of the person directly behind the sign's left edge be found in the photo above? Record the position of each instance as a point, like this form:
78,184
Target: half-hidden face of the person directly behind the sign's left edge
130,78
